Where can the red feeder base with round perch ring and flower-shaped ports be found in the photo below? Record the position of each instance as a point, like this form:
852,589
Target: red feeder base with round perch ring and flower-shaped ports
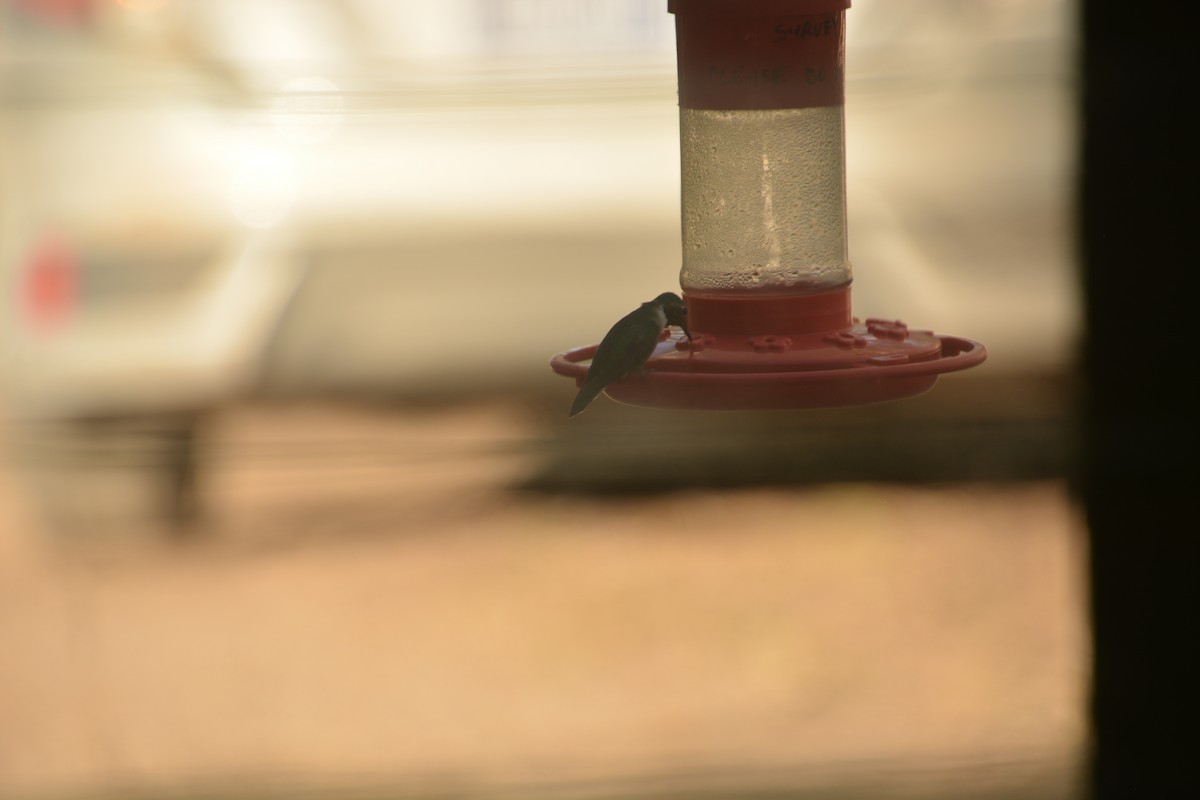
814,356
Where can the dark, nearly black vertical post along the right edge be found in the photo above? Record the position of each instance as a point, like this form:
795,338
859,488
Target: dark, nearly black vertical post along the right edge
1139,222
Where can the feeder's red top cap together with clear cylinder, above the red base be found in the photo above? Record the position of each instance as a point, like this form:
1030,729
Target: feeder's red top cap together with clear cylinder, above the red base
763,146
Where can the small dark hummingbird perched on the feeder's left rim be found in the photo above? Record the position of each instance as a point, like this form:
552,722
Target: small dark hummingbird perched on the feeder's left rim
629,345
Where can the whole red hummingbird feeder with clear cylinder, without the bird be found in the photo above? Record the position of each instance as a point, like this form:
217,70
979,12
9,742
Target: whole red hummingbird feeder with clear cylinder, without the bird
766,274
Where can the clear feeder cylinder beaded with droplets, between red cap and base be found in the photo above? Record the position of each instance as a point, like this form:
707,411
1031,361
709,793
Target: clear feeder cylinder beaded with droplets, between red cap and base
764,200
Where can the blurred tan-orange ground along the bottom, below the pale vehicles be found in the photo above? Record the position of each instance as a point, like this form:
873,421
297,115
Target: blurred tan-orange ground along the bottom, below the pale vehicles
374,610
